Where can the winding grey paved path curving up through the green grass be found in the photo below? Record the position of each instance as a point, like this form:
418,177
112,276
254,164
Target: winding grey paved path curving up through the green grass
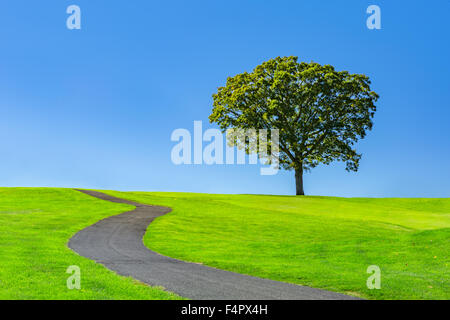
116,242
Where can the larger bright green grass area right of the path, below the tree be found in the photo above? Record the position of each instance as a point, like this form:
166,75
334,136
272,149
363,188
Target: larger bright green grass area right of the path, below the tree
323,242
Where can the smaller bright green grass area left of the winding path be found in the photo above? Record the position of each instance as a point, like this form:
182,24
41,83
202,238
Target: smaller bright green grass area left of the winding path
35,226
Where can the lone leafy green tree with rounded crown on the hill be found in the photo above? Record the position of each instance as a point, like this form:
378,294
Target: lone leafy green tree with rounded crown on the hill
320,112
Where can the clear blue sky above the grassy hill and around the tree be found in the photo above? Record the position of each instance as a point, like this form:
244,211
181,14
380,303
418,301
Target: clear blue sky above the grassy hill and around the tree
95,107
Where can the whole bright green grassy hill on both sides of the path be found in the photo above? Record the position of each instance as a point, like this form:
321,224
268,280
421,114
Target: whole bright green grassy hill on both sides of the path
322,242
